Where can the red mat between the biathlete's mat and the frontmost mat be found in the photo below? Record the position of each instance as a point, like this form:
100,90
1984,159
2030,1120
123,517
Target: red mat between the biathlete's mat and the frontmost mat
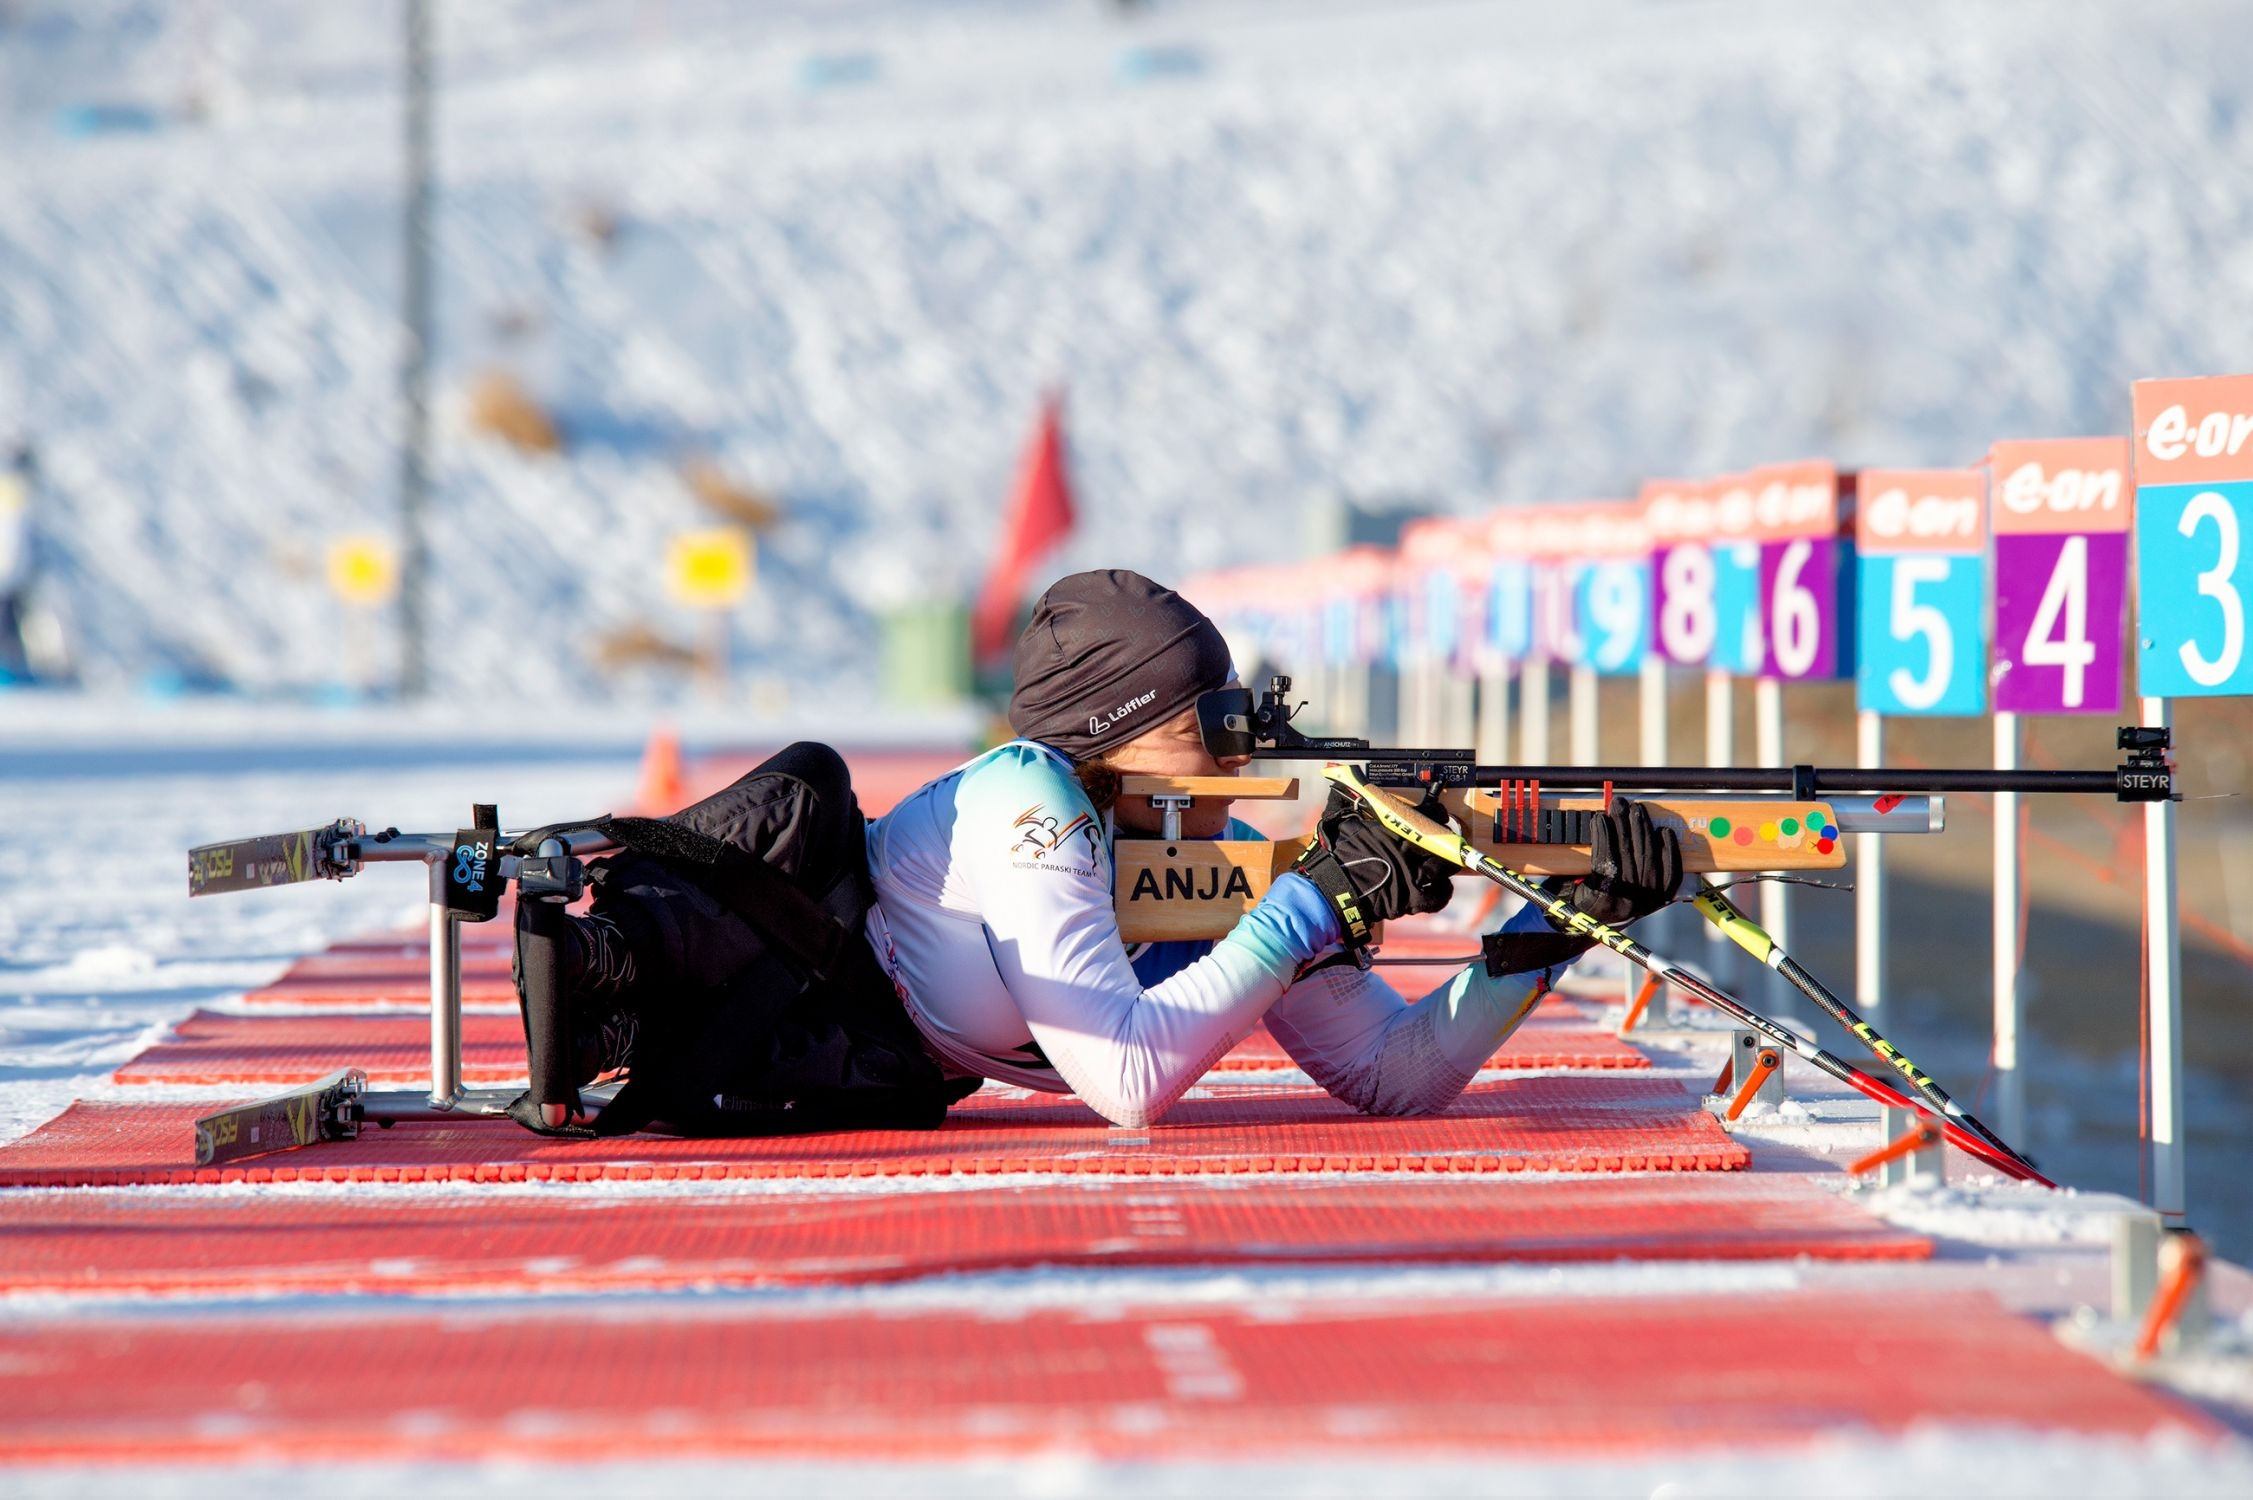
130,1242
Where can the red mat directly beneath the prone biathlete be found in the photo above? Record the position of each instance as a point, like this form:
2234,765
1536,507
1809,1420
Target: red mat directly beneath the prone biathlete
1511,1125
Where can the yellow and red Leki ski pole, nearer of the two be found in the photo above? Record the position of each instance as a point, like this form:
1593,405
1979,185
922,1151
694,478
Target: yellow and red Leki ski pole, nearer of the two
1423,832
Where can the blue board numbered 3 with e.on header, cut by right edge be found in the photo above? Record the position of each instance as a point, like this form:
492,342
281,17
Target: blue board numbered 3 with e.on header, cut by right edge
2193,497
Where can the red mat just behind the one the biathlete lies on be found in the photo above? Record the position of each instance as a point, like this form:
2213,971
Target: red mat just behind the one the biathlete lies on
395,1051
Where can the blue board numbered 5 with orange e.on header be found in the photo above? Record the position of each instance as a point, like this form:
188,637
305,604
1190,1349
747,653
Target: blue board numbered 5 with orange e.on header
1923,548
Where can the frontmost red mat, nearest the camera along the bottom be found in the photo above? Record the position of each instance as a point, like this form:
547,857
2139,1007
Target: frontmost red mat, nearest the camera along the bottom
1553,1377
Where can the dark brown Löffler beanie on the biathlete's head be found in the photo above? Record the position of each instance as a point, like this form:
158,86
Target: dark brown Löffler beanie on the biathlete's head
1110,657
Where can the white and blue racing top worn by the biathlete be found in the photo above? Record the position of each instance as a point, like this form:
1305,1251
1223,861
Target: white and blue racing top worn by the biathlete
997,925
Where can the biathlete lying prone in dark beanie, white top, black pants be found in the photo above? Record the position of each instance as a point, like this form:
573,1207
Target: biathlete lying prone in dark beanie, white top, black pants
979,929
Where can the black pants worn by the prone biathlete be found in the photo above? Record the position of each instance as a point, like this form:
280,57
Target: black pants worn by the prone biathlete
736,1039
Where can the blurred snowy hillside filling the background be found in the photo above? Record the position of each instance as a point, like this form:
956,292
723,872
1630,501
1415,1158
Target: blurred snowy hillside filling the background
1276,253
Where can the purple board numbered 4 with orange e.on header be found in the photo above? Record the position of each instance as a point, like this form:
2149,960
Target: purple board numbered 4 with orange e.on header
2063,515
